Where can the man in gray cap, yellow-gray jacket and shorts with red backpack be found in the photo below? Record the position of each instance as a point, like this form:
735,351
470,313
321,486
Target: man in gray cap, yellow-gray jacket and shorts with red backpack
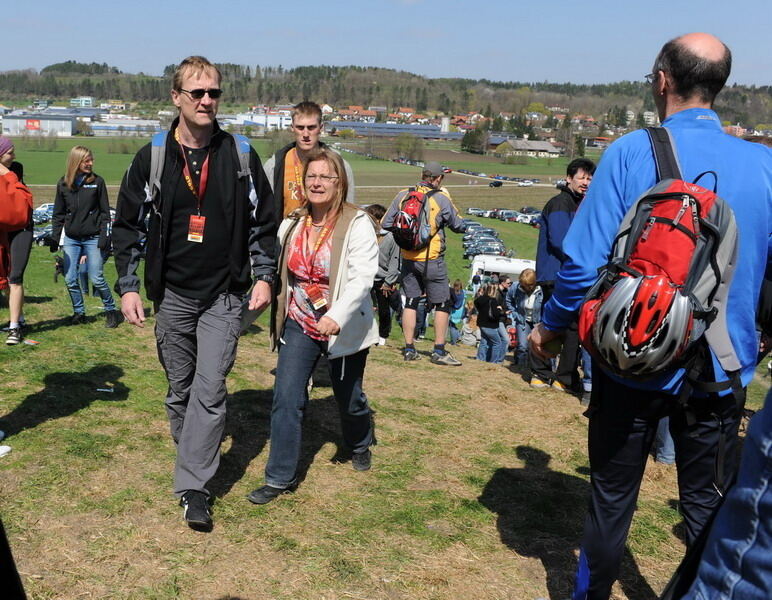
417,217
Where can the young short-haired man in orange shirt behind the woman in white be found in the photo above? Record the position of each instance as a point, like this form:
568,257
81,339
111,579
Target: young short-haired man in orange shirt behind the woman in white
284,169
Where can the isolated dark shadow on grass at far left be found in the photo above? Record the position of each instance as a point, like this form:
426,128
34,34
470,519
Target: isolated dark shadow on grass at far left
65,393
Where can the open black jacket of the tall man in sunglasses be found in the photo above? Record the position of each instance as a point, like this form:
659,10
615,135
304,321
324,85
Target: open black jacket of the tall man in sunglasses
247,202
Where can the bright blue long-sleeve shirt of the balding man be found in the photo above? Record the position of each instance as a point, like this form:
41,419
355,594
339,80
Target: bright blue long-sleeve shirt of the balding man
627,170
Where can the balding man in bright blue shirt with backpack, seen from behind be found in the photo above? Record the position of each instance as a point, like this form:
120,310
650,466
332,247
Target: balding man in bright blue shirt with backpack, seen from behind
624,410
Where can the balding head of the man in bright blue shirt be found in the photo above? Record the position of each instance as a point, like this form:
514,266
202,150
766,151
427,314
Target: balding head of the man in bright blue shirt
698,64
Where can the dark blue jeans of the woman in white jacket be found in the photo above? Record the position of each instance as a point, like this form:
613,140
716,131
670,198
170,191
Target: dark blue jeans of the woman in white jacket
298,354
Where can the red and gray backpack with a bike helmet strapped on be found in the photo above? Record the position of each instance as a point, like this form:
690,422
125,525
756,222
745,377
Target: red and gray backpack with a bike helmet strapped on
665,287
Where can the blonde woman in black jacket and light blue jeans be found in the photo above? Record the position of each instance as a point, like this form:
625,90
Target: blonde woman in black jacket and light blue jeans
81,209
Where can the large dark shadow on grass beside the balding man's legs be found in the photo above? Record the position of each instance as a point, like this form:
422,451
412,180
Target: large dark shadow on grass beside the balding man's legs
541,514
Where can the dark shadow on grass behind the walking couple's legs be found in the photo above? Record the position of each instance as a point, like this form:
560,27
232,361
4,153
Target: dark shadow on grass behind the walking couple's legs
248,425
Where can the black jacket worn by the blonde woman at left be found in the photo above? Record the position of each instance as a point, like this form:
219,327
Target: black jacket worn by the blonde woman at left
83,212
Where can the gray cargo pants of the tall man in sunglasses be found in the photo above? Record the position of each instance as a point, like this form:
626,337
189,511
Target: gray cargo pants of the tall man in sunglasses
196,342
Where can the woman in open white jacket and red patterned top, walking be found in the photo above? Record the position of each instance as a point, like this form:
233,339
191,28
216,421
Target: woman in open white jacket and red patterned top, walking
327,263
